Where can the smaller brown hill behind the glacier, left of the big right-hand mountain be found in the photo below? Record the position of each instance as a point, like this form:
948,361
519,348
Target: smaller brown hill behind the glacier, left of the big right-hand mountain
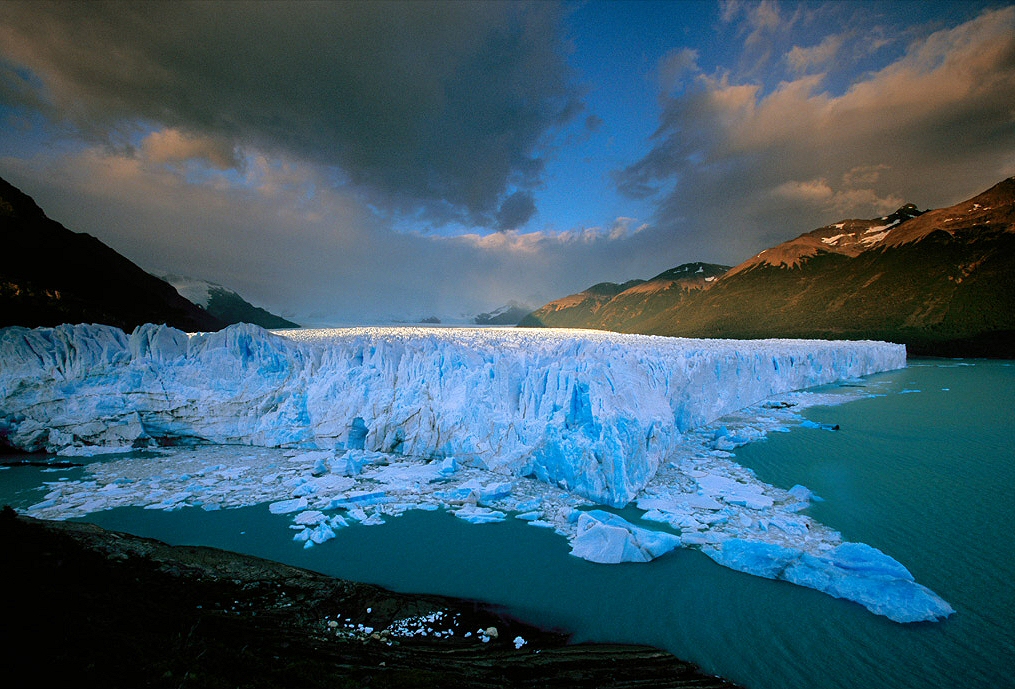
628,307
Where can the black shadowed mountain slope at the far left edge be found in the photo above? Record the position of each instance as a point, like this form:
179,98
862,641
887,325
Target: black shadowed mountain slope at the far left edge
51,275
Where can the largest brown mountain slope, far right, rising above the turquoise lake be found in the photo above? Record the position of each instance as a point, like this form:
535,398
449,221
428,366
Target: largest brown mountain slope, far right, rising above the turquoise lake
942,284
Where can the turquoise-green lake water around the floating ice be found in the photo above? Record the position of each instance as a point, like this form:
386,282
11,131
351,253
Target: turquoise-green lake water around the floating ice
924,472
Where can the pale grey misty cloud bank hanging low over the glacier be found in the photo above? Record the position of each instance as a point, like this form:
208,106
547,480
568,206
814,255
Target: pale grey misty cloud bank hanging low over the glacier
325,260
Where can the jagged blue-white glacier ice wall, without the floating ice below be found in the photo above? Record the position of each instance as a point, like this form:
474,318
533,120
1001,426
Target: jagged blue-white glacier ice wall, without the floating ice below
590,411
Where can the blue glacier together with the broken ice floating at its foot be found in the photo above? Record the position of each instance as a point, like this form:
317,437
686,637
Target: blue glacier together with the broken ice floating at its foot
353,426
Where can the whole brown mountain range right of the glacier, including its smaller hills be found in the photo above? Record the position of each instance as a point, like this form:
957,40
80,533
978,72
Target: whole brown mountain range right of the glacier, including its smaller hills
942,283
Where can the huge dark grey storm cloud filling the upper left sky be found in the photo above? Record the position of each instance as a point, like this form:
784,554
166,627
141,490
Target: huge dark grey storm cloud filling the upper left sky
426,106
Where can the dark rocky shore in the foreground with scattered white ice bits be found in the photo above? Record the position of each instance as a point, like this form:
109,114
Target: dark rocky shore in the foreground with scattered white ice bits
87,607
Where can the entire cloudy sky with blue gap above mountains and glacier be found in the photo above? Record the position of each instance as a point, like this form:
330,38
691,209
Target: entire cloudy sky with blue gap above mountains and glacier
347,163
